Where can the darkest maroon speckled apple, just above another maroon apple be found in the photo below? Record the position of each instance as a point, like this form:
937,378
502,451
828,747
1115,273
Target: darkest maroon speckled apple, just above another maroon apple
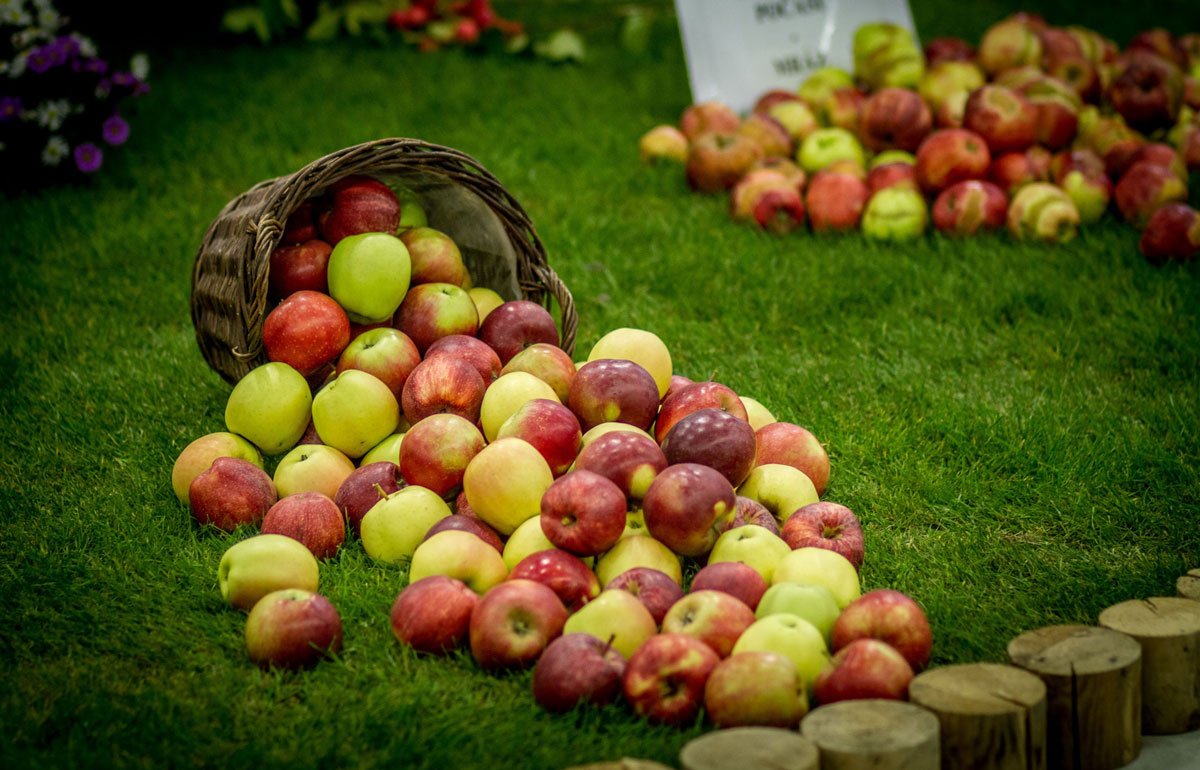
715,438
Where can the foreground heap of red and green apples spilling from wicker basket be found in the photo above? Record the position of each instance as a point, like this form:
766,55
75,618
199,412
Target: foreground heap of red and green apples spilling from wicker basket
623,530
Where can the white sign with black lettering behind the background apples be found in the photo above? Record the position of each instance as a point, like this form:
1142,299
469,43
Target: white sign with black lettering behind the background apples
737,50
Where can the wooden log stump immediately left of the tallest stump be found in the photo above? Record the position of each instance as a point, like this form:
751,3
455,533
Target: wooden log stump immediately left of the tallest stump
992,717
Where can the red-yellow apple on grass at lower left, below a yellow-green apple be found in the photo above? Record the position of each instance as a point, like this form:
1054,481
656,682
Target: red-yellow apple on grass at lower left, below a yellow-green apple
293,629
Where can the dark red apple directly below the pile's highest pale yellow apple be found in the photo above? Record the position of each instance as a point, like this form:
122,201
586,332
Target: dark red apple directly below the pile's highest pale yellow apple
614,390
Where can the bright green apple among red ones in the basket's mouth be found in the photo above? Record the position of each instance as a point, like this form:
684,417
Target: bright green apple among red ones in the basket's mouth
369,276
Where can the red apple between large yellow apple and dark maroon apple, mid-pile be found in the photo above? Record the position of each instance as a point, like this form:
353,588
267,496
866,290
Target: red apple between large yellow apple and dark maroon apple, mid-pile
584,514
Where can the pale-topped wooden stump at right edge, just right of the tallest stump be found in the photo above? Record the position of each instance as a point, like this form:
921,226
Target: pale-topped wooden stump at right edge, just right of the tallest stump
1168,629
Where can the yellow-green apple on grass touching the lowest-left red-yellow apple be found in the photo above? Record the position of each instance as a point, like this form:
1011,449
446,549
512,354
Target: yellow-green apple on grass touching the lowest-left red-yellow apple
256,567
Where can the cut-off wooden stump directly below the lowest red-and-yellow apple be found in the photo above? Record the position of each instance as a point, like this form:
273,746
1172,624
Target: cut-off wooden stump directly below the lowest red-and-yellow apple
751,749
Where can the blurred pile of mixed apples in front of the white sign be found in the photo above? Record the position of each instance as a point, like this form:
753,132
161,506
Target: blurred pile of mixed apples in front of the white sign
1040,129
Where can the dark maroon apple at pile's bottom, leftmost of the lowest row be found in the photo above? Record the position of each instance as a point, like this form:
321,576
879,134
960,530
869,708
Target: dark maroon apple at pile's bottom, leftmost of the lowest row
578,669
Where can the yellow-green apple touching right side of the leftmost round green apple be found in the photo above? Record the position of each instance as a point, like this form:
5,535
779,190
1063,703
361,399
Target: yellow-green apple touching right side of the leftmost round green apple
355,412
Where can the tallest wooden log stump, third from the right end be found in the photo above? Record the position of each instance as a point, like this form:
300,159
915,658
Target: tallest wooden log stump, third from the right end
1094,694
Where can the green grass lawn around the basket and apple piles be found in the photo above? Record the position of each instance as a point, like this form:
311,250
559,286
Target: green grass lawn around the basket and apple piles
1017,425
